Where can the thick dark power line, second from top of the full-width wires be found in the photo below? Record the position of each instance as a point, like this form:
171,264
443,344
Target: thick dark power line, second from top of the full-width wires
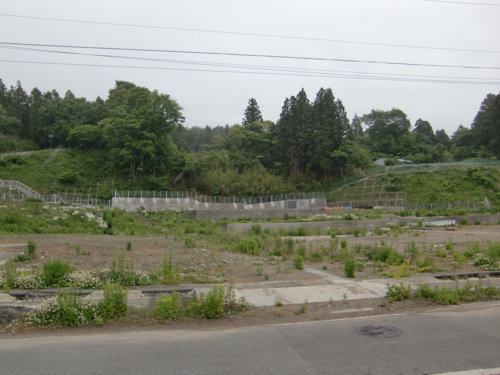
247,55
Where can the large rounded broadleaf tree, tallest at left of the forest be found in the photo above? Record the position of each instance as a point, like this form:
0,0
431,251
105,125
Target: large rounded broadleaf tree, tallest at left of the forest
138,130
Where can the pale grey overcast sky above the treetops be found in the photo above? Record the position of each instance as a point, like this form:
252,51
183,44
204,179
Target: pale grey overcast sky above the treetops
350,46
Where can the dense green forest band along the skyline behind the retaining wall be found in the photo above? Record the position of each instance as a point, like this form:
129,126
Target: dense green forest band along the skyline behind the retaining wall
137,136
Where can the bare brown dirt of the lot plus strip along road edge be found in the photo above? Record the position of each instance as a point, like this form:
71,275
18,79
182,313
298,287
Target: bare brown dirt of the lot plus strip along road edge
98,251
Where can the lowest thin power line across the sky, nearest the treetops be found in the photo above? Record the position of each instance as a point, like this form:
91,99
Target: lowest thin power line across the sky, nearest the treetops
312,74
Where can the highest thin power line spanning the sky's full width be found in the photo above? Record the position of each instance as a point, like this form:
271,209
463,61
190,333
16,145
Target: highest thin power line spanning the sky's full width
251,34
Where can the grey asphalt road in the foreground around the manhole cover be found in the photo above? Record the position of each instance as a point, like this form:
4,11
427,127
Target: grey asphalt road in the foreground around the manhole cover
430,343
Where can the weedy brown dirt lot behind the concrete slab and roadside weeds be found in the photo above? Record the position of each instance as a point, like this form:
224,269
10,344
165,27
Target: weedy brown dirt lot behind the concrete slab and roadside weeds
205,262
